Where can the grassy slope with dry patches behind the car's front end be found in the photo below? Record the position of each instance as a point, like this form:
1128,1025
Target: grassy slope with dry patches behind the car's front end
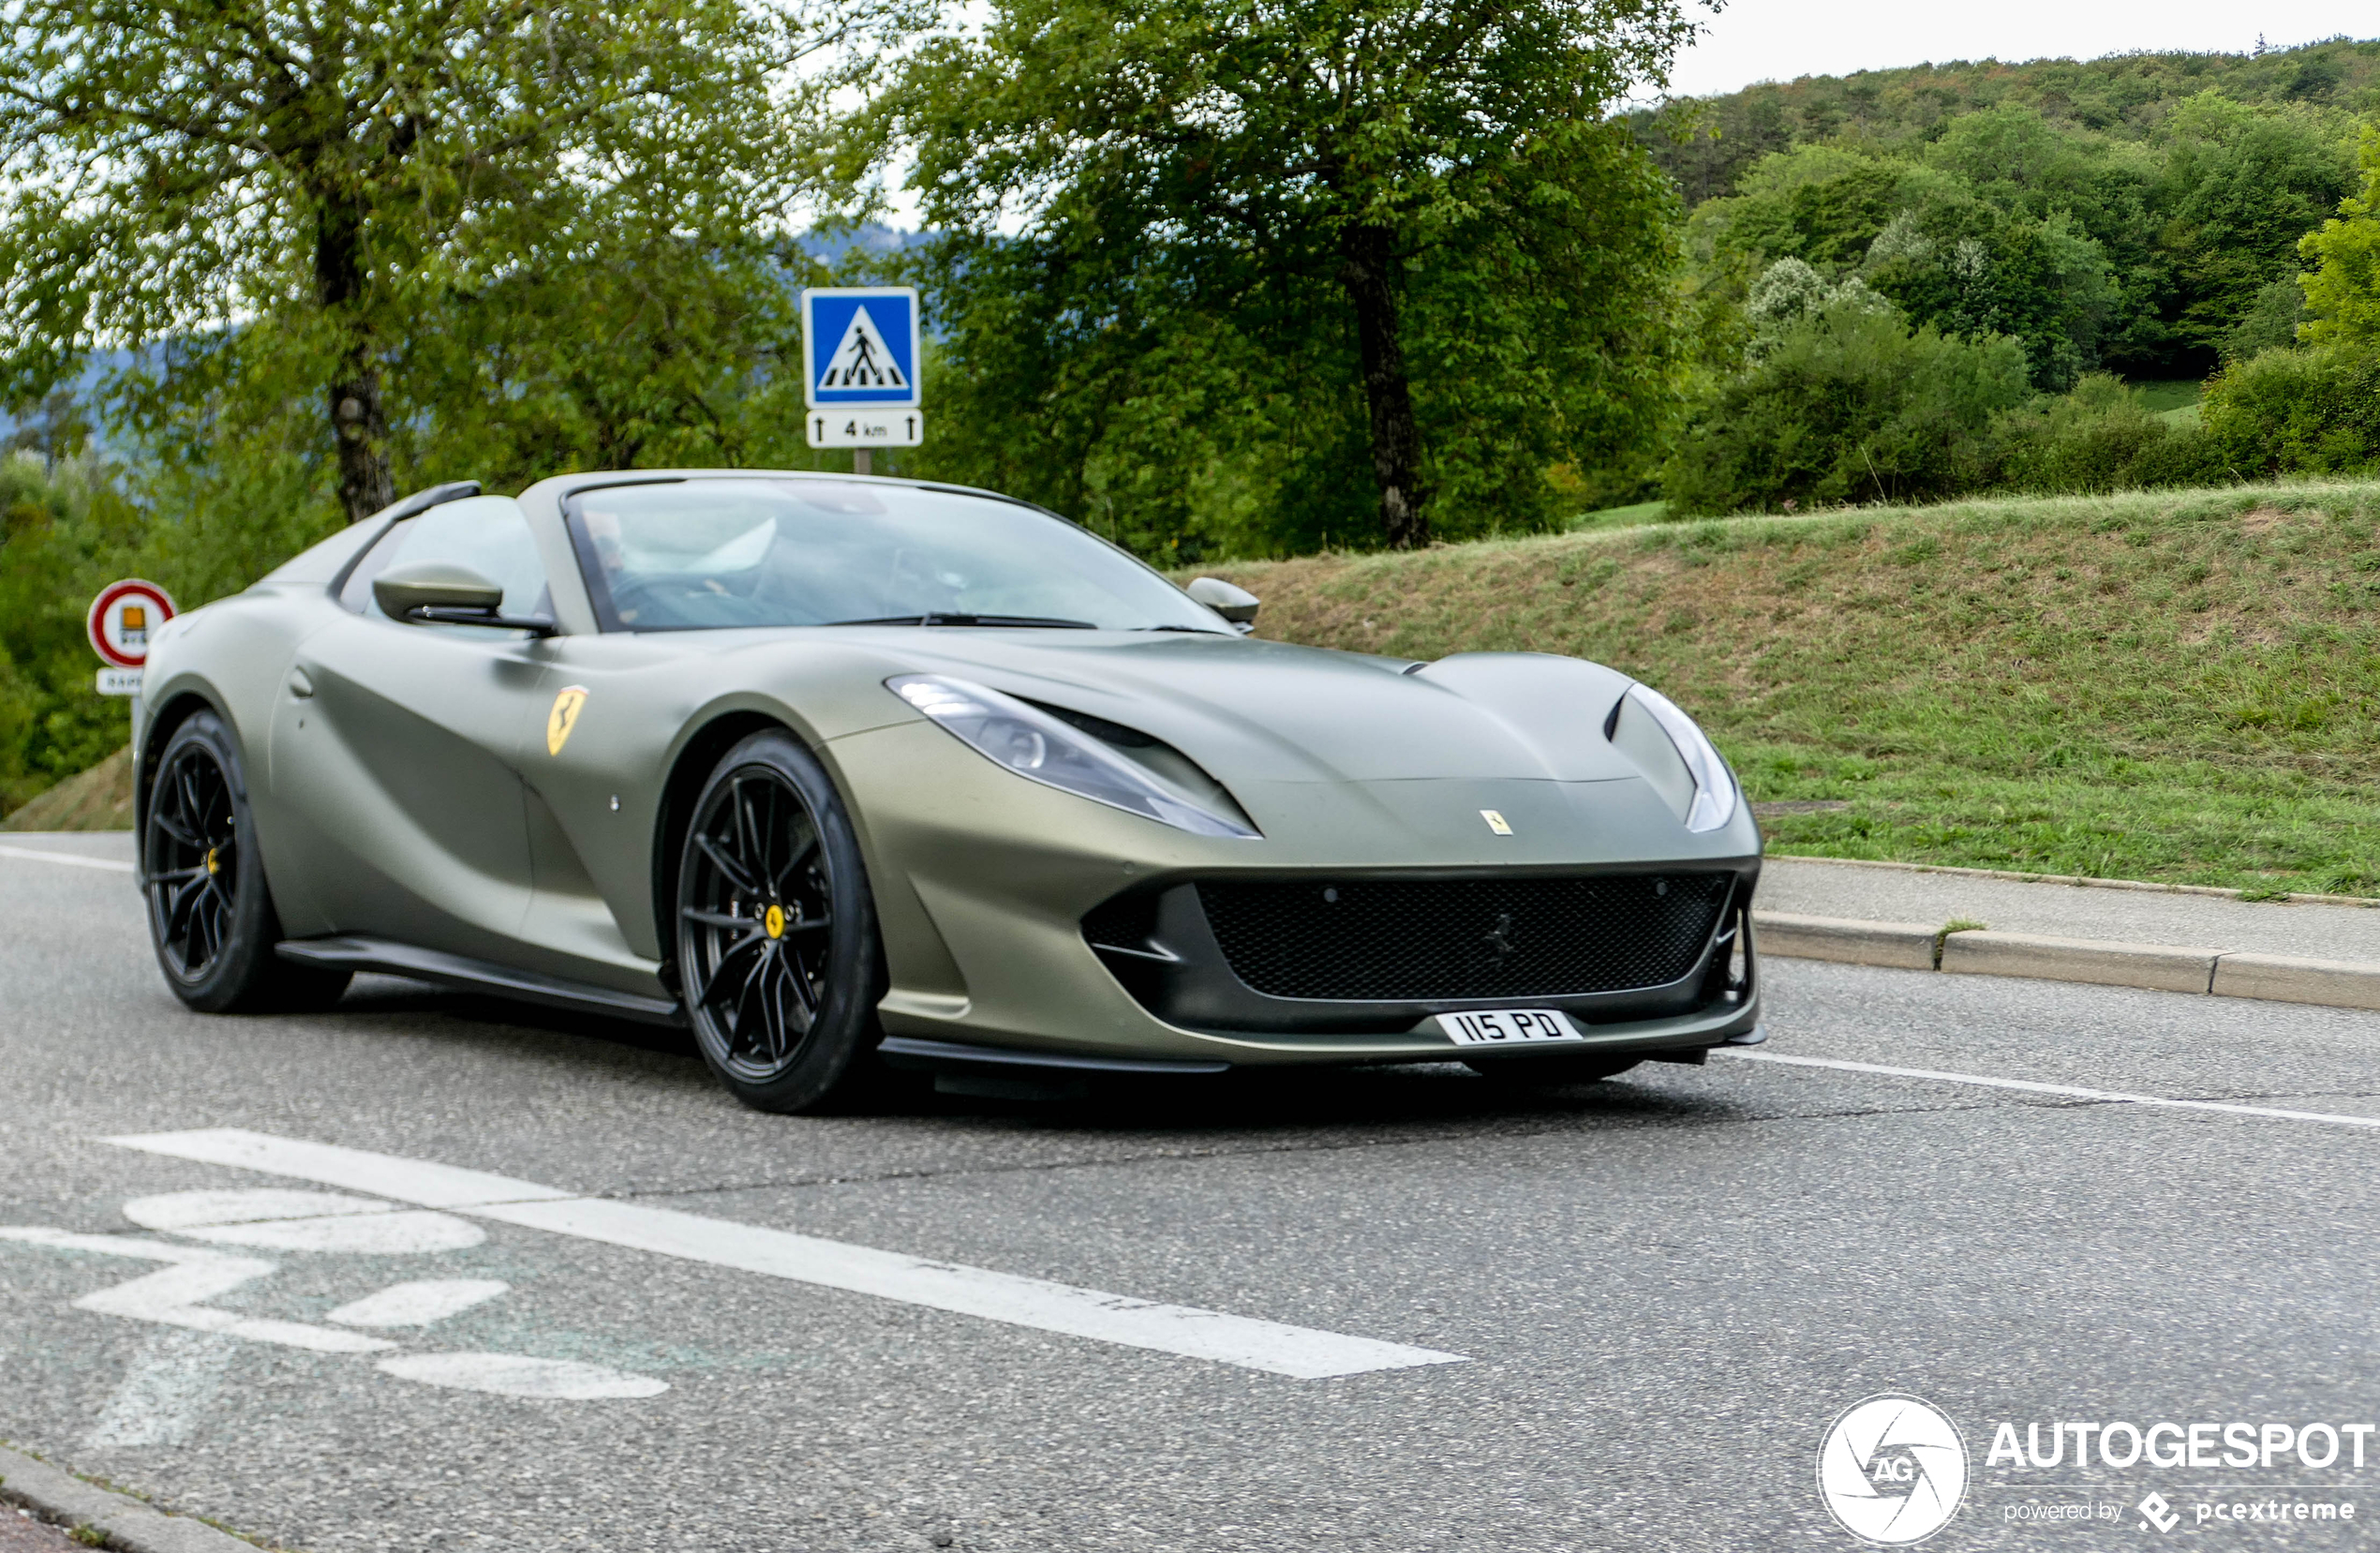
2148,687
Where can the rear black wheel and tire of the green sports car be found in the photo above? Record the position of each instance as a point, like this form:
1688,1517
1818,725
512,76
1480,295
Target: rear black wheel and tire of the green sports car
211,911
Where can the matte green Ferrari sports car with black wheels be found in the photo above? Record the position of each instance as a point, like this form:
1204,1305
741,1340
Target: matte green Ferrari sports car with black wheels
860,773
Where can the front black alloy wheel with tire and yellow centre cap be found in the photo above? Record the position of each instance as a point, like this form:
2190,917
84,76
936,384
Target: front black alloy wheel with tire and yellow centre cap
777,930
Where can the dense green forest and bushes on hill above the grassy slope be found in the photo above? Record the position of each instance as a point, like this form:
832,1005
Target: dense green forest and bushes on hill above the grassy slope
2017,277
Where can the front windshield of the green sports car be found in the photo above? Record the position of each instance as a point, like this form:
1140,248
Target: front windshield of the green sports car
720,554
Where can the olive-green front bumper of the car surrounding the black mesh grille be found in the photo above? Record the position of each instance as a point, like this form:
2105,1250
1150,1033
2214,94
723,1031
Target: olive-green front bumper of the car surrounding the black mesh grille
984,885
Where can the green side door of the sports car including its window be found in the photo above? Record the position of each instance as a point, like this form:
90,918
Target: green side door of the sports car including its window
396,749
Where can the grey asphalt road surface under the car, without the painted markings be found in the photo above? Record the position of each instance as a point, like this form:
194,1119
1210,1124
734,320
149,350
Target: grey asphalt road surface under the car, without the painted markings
1662,1290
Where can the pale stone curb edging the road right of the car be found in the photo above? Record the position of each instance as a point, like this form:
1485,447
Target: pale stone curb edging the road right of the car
2110,963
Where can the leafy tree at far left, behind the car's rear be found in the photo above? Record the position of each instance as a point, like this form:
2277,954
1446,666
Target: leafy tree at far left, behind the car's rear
334,175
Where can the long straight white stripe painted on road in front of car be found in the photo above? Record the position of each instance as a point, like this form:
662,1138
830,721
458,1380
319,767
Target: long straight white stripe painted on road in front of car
1001,1297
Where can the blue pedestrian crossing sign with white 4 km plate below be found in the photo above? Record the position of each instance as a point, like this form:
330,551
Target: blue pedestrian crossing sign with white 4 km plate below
863,351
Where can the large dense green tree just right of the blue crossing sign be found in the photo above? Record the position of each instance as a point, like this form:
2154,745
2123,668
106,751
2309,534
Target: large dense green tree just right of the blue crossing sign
1422,201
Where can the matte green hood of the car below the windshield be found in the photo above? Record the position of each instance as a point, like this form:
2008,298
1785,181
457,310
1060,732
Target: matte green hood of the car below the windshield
1263,711
